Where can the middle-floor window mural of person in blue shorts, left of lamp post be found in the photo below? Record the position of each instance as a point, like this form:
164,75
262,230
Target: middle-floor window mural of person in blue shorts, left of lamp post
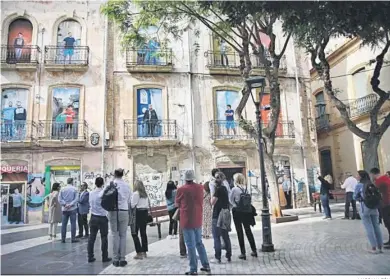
226,104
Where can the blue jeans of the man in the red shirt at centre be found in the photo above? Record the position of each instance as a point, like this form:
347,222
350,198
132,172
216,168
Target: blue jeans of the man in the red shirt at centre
193,240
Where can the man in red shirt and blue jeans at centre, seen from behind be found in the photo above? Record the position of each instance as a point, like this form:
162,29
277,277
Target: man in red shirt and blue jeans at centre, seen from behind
189,200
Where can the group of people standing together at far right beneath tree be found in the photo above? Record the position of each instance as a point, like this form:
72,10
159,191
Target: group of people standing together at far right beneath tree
369,195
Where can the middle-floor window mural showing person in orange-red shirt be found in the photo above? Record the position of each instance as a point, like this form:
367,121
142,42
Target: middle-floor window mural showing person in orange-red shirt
65,112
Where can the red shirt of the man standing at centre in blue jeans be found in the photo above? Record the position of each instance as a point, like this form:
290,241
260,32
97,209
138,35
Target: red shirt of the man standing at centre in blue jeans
189,200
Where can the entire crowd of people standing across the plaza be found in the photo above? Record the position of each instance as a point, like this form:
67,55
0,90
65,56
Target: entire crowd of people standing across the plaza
197,211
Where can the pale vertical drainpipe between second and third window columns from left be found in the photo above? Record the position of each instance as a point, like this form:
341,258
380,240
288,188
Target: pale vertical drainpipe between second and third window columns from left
105,49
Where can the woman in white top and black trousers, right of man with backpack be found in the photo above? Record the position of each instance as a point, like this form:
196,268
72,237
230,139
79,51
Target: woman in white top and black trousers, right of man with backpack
140,202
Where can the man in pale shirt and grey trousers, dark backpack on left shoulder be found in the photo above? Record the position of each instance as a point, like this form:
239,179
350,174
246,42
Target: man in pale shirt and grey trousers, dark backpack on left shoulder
116,200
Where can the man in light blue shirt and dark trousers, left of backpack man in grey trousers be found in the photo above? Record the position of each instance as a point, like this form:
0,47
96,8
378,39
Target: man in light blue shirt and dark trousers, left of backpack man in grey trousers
98,222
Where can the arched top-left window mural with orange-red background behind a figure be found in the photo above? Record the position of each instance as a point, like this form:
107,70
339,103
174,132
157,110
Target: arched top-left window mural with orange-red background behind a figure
19,41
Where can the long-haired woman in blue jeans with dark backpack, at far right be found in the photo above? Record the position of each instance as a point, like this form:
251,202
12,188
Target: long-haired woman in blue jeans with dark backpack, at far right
369,215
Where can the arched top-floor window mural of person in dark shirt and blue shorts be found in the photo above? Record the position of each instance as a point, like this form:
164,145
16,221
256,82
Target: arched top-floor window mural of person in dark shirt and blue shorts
68,38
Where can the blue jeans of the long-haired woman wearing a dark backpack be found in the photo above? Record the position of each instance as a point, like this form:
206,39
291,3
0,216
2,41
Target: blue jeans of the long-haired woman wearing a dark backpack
370,218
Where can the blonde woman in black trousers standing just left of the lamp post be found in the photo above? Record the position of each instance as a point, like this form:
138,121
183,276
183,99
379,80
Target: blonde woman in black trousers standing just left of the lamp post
242,218
